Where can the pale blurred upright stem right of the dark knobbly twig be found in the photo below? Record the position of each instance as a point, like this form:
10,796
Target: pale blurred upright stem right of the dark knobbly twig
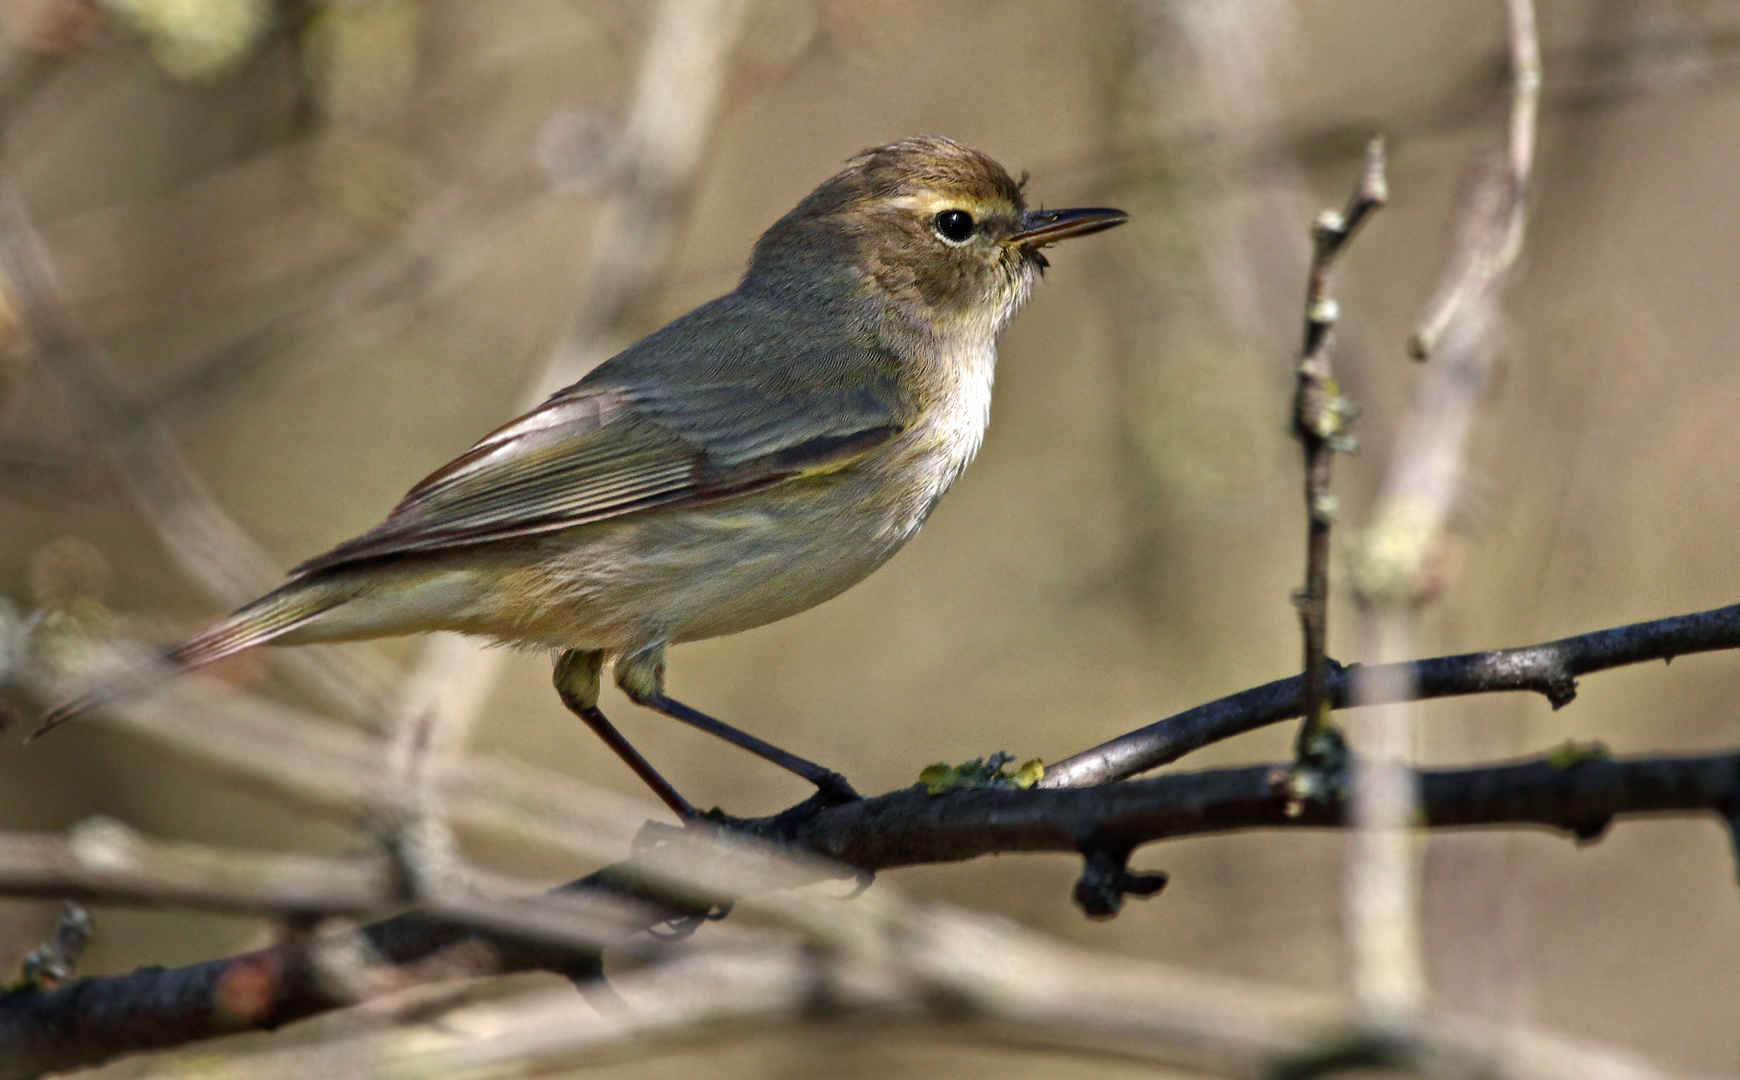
1395,568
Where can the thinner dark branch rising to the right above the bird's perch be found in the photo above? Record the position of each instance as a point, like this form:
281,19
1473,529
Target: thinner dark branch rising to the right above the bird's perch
1551,670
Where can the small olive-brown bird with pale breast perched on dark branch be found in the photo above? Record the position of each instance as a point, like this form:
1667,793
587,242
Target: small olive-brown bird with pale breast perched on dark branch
744,463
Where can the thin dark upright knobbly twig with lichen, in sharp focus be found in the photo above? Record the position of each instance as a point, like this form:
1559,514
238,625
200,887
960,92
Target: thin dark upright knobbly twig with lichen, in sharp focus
1322,420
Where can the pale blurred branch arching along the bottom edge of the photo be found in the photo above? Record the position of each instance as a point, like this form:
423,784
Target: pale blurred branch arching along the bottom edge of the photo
951,977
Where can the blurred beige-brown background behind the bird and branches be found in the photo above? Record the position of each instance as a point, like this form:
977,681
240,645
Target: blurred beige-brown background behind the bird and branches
1130,537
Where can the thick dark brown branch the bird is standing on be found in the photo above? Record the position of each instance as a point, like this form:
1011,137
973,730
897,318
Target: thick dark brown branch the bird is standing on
104,1018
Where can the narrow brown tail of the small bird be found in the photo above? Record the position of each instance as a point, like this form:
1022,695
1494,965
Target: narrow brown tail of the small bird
272,617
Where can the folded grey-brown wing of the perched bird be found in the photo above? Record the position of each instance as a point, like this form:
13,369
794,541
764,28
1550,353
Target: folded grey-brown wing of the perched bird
688,415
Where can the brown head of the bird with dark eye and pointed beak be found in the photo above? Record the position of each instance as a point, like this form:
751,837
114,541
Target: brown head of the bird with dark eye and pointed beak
928,227
